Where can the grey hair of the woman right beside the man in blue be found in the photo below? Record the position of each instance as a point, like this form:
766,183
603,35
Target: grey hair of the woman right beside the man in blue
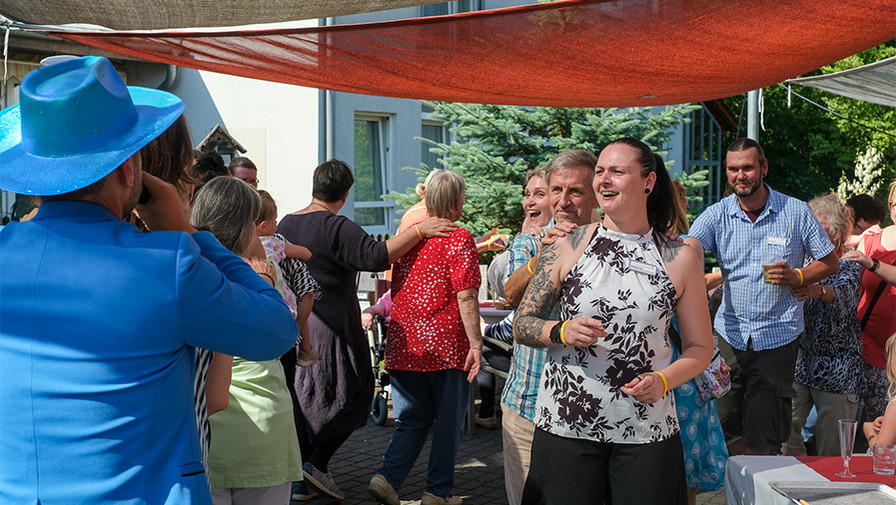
227,207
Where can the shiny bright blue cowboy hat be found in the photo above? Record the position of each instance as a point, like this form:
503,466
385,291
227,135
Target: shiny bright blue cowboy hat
75,123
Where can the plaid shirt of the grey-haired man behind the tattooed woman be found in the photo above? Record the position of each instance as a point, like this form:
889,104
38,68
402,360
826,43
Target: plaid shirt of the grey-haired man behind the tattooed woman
521,387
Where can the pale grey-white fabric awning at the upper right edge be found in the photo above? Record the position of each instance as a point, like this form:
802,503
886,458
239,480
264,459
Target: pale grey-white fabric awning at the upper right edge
875,82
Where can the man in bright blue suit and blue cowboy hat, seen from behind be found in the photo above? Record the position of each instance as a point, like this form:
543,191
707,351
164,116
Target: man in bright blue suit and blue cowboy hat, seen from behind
97,320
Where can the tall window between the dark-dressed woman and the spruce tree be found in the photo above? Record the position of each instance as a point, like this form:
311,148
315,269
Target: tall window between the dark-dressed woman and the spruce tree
371,173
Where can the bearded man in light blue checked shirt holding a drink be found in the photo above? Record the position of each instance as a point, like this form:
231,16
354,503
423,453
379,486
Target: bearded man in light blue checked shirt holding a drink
761,239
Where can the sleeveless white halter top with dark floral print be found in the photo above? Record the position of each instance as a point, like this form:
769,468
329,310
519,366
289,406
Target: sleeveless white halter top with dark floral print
621,281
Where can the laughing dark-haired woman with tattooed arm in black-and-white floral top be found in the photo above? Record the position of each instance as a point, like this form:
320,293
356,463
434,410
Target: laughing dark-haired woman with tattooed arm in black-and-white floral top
606,426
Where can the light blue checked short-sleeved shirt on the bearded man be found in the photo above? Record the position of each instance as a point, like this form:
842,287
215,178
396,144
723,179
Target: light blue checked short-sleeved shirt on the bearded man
768,314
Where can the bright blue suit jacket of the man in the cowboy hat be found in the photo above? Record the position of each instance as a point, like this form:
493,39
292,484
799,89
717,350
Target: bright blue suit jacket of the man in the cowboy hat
96,368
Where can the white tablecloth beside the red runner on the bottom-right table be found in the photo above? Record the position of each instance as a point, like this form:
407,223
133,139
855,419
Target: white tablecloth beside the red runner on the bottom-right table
747,478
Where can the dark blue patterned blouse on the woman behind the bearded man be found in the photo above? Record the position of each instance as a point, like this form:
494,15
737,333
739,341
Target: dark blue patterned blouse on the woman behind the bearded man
830,356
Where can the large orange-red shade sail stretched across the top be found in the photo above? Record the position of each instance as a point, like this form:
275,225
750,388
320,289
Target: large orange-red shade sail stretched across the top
565,53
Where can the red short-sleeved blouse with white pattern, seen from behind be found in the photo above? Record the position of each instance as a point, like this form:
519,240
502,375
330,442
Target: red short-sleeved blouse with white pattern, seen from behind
426,332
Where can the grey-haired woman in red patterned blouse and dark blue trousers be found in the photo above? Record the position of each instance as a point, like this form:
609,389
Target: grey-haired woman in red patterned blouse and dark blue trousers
433,349
